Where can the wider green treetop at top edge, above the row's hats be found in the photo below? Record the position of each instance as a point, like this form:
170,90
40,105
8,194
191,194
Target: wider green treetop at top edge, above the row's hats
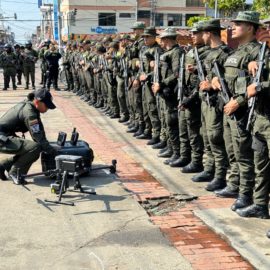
227,7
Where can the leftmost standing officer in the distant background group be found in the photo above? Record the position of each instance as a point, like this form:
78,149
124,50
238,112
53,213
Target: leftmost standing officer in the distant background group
8,62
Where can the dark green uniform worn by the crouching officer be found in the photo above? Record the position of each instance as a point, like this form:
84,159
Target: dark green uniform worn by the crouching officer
23,117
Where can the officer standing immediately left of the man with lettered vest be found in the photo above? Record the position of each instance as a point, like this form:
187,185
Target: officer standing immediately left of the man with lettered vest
213,106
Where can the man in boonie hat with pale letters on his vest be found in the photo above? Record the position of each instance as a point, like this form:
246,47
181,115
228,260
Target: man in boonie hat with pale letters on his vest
237,78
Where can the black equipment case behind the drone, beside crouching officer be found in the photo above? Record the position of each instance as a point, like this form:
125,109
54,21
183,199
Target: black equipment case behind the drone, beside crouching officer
73,147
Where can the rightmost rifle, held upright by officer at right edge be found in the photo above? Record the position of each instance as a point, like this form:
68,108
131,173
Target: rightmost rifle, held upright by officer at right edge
256,80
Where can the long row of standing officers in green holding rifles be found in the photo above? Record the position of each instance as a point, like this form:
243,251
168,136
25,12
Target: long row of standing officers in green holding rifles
176,99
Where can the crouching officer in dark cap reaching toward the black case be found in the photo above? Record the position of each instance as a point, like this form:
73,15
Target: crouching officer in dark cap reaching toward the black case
23,117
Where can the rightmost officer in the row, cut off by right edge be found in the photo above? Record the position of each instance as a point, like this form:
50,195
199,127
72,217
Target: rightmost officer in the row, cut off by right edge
261,142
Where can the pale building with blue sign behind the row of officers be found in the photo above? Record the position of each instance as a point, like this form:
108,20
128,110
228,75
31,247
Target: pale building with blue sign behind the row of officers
117,16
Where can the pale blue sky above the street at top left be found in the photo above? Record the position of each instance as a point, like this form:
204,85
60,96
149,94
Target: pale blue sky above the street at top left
25,10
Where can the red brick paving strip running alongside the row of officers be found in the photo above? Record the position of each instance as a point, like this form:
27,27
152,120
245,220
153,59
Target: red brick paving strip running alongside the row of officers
192,238
